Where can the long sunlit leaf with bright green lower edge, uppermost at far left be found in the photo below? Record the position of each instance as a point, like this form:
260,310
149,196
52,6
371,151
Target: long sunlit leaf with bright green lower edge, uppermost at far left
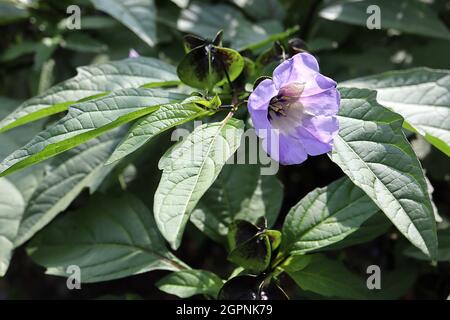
90,82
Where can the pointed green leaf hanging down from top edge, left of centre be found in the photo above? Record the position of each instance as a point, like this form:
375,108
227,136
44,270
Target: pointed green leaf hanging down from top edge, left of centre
137,15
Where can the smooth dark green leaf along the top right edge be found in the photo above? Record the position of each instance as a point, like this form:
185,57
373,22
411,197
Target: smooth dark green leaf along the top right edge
409,16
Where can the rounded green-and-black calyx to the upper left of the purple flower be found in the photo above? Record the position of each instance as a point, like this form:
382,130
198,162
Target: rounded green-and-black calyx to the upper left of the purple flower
207,66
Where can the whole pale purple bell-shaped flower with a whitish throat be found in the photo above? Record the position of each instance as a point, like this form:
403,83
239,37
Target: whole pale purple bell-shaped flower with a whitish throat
295,112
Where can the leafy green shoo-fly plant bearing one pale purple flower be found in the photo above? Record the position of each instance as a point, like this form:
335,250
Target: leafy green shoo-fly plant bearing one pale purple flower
156,161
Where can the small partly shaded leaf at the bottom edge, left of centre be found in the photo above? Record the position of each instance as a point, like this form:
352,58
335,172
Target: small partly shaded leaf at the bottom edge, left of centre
188,283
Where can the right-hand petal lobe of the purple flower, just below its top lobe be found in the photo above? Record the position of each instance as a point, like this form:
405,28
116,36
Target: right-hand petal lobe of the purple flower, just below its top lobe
322,104
